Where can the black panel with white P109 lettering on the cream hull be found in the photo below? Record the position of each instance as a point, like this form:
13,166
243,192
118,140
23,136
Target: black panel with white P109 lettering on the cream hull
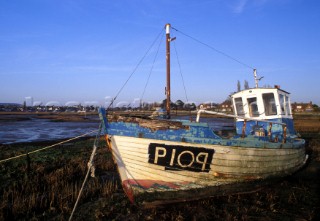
176,157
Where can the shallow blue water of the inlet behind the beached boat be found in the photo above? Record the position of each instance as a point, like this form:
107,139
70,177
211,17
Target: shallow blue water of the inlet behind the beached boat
43,129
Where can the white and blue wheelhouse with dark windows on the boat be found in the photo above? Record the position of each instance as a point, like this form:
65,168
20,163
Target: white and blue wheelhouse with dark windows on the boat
262,111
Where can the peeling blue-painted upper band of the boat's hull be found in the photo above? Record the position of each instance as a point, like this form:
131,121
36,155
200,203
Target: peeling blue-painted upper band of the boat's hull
200,133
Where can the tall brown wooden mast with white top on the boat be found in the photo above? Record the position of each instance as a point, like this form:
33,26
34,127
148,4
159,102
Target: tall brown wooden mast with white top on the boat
168,69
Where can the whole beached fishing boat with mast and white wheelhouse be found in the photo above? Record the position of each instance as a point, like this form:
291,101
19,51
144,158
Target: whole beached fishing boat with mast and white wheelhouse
165,160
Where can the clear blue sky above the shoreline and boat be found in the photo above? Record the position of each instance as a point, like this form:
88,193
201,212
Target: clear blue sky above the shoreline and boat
63,51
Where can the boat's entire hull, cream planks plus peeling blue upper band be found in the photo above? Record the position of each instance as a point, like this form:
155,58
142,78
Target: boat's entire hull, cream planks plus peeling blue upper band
180,161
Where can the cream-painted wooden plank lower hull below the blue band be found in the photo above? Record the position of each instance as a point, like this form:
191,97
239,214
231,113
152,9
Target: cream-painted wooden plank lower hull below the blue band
158,171
